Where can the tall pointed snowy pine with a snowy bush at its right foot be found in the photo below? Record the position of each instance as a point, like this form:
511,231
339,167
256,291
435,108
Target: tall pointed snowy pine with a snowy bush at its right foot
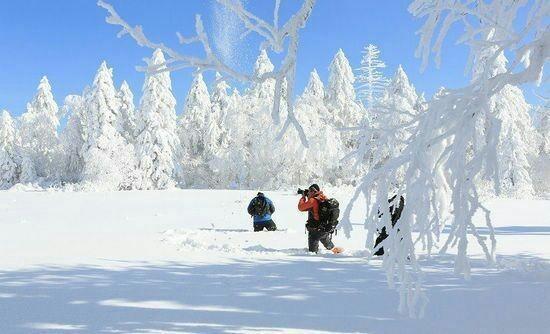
109,161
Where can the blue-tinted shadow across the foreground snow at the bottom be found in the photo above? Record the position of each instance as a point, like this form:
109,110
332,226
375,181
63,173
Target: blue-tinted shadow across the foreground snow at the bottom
302,293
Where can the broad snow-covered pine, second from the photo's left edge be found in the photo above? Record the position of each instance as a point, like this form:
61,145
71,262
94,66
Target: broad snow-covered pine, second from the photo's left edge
39,140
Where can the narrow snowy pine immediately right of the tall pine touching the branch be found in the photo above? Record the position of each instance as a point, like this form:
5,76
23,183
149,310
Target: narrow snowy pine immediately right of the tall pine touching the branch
194,133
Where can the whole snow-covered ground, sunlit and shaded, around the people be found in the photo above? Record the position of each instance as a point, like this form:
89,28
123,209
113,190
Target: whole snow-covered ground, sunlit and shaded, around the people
185,261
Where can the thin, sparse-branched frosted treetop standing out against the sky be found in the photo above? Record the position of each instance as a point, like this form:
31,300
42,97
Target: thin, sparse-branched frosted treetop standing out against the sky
370,81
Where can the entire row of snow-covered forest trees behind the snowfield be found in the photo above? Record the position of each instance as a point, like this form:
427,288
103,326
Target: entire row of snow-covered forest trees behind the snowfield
120,139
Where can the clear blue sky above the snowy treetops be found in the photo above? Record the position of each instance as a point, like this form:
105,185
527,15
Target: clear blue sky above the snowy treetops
67,40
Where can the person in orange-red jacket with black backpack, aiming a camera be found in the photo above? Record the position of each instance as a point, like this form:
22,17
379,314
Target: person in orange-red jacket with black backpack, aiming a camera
322,218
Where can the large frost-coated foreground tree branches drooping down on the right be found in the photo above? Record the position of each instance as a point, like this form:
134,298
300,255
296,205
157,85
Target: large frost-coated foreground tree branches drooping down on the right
440,175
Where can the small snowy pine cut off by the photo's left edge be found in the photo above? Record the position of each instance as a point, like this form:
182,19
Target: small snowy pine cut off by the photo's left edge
10,158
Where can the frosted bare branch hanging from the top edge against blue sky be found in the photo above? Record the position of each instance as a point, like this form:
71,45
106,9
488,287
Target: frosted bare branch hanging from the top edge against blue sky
274,37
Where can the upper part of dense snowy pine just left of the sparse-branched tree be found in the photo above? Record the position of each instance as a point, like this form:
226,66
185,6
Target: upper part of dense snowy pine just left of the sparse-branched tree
340,94
